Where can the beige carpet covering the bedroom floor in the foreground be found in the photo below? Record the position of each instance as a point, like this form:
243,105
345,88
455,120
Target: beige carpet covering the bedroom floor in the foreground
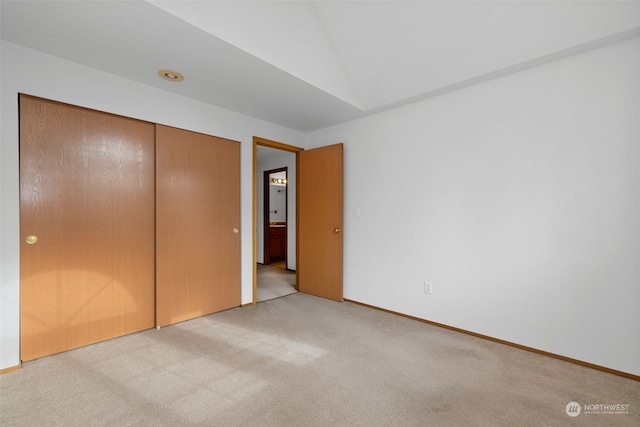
307,361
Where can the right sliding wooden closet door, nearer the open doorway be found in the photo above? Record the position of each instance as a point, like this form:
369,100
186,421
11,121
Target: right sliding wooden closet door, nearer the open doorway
197,224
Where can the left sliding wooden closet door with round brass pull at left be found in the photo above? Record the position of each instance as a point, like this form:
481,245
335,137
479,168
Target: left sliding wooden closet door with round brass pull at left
86,193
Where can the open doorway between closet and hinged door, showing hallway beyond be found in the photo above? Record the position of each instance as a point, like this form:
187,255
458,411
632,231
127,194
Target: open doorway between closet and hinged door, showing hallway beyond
275,219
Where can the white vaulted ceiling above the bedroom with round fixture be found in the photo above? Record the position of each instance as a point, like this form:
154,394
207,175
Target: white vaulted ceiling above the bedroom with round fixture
311,64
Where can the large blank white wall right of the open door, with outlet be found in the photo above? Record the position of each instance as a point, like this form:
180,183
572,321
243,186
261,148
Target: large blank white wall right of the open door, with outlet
518,198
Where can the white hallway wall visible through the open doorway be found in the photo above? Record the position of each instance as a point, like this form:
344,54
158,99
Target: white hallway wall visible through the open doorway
288,160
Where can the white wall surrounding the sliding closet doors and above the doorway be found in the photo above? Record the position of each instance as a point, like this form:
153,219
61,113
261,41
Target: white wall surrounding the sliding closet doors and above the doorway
33,73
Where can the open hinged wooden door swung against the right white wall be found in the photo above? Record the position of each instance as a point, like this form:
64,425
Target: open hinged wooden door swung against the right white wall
320,222
